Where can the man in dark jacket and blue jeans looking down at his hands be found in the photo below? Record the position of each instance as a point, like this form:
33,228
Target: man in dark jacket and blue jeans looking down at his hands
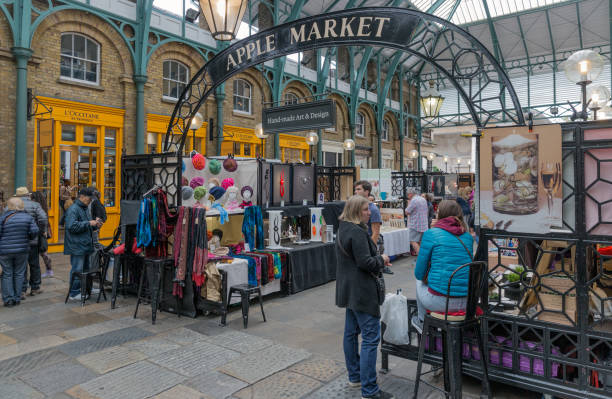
78,239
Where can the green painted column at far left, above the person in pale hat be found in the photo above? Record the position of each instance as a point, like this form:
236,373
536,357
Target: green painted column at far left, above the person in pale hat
22,55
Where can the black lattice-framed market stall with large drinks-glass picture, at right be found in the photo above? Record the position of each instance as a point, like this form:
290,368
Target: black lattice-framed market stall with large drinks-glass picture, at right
545,233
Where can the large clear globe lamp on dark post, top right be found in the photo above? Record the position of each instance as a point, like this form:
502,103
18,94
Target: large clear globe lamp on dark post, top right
582,68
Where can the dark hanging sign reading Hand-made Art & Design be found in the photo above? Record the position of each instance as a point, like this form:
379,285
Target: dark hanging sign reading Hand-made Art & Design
313,115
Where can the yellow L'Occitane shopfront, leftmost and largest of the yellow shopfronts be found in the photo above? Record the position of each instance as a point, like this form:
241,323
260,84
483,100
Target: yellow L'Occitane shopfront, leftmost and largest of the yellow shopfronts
81,143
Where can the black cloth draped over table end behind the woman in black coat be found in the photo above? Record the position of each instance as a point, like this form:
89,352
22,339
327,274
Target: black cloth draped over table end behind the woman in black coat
311,265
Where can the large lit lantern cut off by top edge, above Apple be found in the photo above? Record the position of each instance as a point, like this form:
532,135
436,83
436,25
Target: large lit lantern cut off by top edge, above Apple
223,17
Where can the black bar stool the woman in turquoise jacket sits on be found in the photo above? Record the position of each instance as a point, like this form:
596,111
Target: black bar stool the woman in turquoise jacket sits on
452,327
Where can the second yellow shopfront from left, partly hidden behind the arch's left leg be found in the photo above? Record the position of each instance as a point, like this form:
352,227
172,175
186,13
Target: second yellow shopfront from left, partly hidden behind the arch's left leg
157,125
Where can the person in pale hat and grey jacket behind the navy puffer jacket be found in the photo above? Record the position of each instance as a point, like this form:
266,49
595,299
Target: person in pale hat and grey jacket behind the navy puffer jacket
34,209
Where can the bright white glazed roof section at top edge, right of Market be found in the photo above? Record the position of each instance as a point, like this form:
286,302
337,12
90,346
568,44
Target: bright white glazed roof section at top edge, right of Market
469,11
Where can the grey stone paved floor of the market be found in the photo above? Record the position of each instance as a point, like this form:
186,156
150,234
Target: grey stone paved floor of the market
52,350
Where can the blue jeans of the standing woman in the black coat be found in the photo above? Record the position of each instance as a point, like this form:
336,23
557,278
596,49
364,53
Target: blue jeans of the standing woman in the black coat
361,367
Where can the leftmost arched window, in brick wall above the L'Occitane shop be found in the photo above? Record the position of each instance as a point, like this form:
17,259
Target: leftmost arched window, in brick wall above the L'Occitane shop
80,58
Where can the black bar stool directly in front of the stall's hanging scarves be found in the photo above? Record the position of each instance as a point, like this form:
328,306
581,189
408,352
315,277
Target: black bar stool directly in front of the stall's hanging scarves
154,269
